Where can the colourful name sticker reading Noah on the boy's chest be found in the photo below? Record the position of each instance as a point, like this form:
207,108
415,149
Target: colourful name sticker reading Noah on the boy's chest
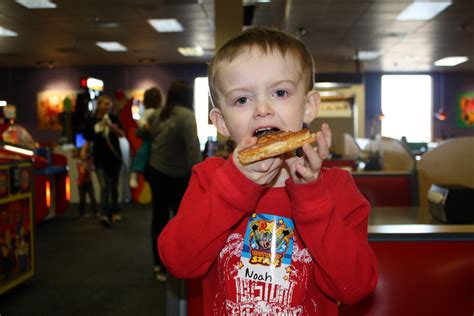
267,250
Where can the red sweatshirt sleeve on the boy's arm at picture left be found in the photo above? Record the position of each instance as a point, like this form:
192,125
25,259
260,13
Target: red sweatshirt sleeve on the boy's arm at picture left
217,198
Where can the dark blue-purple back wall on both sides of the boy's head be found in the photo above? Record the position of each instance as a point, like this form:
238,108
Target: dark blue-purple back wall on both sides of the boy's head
20,86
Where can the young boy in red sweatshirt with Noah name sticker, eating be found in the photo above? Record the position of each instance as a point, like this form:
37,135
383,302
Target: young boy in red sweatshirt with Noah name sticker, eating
280,236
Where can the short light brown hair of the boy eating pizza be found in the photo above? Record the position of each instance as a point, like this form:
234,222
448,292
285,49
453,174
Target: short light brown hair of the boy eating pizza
266,40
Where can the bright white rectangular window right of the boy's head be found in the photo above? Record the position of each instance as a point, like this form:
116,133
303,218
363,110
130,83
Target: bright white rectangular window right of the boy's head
407,107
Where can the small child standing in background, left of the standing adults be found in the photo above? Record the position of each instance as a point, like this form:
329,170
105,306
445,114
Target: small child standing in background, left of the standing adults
85,166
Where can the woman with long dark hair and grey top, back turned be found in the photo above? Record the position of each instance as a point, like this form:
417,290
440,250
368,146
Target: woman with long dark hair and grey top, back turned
174,150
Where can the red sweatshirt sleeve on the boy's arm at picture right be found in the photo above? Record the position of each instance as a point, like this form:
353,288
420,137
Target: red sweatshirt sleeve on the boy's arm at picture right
331,216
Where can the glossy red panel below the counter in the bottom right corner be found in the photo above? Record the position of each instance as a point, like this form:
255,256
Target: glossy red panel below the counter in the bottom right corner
433,278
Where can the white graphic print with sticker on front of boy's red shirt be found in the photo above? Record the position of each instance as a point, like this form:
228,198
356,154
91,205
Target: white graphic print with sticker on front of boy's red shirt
245,295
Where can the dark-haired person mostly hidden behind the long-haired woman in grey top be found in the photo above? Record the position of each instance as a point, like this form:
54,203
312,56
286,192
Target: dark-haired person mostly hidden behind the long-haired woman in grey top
151,101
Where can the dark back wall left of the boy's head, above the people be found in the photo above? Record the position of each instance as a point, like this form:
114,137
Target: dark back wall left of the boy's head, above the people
19,86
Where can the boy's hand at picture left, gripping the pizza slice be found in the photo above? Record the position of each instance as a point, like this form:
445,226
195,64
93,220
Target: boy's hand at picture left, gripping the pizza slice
261,172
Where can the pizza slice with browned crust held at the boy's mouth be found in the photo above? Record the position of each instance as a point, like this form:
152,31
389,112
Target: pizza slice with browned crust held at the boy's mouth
274,144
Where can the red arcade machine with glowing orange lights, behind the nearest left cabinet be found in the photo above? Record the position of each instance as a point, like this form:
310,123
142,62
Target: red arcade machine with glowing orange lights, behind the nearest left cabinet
50,177
